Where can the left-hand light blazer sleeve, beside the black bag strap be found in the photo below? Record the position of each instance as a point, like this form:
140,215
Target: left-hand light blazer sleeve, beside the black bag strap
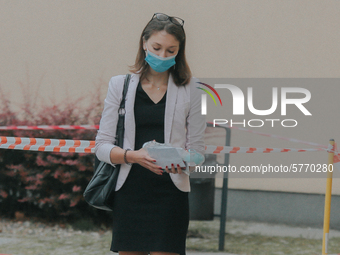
105,138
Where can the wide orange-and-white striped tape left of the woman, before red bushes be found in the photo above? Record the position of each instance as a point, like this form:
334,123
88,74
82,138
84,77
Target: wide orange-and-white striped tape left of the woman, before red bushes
51,145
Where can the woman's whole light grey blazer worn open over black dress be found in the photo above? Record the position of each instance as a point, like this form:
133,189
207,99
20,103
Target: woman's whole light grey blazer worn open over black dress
184,125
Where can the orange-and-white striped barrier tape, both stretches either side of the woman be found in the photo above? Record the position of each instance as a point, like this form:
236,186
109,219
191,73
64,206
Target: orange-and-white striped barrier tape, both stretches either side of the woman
82,146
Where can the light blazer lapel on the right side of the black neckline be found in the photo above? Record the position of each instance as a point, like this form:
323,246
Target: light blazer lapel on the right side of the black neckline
171,98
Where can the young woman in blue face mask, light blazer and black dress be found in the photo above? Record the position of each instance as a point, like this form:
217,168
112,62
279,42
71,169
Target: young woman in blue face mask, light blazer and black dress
151,211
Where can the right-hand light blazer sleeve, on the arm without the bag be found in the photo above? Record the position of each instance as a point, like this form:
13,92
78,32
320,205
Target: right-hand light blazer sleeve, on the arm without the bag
196,123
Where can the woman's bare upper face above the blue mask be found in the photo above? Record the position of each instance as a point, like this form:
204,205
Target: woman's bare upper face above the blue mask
162,44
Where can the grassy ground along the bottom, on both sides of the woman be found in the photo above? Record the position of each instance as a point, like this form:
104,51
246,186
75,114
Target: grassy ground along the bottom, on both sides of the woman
202,236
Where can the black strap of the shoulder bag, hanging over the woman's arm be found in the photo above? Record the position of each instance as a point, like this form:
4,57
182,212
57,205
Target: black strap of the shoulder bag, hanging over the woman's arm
121,114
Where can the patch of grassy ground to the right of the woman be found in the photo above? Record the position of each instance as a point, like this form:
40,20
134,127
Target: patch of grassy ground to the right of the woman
205,238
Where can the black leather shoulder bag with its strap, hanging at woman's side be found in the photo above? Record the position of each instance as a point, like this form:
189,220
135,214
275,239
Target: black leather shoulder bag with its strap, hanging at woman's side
100,191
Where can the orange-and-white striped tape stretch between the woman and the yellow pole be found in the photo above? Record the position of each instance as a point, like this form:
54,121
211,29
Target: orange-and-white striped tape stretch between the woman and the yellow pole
211,149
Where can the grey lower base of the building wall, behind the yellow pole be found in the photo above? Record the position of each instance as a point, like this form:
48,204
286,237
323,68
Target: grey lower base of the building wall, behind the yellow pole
278,207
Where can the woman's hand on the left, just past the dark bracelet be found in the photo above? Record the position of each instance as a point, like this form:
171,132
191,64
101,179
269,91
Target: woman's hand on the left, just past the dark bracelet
142,157
